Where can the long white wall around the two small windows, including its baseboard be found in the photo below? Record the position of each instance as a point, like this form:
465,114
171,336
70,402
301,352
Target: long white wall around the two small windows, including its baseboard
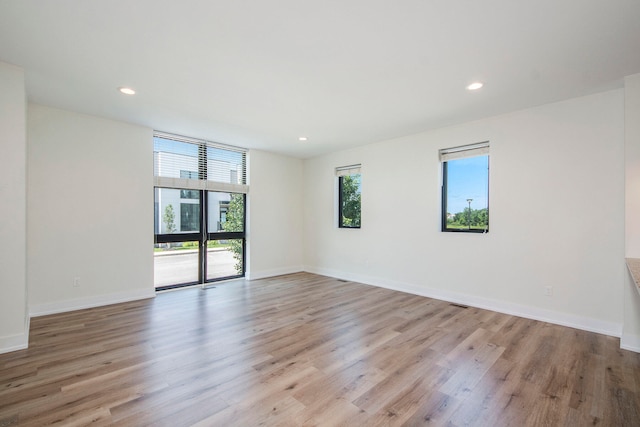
556,216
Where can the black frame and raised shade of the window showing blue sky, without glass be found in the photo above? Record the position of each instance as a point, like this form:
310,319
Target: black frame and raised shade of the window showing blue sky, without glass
473,150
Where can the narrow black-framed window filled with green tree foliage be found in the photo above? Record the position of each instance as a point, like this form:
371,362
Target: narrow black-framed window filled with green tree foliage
349,196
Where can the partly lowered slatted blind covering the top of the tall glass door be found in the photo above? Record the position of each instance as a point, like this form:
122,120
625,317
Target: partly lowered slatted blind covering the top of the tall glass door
181,162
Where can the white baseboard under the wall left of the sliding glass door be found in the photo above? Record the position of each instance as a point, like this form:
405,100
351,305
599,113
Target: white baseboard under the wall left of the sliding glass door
89,302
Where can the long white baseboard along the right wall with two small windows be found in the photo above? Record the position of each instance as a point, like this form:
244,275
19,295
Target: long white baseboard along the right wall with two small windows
558,318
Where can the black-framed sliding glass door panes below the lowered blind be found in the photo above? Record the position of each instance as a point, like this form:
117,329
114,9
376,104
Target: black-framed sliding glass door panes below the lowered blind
199,239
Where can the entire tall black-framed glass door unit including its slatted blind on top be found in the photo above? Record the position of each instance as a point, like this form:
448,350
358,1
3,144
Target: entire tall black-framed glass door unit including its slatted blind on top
199,206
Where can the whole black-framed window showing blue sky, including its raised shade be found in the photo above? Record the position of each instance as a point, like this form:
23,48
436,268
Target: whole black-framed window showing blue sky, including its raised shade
465,188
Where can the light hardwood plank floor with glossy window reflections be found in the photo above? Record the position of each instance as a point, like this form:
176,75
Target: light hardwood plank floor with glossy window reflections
304,349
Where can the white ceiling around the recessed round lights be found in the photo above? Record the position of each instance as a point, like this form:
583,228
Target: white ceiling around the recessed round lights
259,74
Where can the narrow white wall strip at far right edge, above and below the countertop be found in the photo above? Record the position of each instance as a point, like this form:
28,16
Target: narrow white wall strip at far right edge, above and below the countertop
631,334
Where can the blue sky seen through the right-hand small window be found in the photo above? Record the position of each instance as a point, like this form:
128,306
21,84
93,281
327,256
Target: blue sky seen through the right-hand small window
467,178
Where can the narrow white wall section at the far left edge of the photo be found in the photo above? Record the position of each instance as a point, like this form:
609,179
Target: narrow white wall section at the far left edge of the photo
14,321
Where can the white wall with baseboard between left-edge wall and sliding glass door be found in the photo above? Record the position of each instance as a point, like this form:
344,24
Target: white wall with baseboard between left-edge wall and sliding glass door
90,211
